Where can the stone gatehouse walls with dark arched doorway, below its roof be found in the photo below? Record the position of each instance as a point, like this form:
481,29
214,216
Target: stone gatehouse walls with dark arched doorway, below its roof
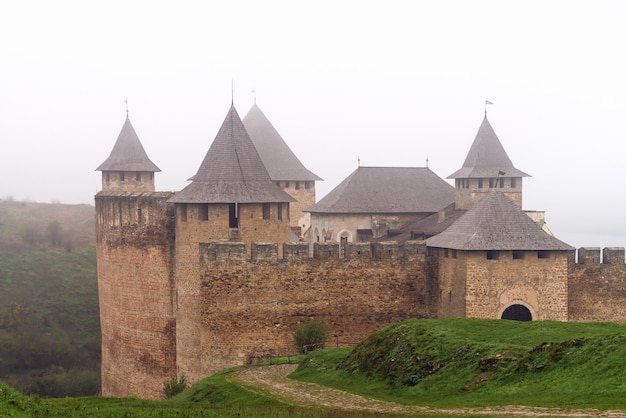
490,286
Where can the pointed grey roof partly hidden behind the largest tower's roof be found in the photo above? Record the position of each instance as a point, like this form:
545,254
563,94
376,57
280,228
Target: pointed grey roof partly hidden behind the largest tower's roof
281,163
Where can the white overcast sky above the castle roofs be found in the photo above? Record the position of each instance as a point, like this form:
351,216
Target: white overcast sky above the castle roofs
390,82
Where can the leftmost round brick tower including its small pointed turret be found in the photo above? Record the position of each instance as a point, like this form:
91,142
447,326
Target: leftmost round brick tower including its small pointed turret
134,246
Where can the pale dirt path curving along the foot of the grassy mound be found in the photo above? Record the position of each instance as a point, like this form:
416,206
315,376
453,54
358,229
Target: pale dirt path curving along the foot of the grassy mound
273,381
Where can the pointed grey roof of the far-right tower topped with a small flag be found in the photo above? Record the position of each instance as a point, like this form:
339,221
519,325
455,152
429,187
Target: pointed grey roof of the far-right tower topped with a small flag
487,157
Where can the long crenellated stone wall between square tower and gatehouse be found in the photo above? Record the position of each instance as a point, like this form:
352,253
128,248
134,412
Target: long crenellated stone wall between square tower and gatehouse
250,306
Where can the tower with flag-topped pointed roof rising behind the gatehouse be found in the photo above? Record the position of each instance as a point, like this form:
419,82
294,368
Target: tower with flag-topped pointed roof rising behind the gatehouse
486,167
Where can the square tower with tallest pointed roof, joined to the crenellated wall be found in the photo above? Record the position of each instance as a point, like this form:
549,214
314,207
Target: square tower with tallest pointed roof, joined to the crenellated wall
230,198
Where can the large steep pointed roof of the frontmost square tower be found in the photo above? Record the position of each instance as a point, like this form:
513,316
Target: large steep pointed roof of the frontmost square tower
232,171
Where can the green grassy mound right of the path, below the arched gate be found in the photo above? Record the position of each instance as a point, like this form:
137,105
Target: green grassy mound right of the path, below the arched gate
471,362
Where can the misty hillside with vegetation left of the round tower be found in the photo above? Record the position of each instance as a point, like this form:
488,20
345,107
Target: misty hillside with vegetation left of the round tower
49,323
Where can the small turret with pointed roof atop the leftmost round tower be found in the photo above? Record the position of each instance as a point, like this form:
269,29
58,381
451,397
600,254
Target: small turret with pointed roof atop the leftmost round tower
128,168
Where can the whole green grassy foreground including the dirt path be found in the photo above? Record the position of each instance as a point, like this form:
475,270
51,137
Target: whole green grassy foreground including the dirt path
443,367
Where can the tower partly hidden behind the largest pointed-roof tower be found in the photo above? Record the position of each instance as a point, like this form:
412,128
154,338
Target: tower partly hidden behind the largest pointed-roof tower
284,168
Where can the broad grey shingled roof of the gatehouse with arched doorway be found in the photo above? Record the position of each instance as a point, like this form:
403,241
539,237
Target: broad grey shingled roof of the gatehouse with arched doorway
496,223
